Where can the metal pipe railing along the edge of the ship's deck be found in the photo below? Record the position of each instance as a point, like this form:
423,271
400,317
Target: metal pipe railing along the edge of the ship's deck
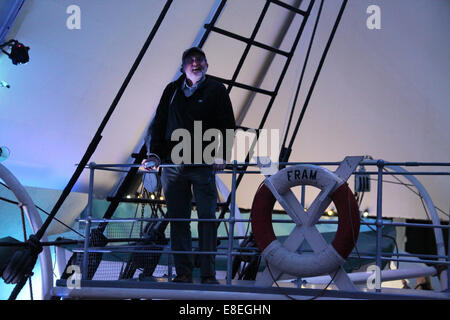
232,251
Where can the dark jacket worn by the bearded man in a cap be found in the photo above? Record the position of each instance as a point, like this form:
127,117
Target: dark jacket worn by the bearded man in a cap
209,104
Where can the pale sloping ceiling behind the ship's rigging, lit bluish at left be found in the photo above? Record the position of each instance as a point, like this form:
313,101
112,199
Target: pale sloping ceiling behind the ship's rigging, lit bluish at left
383,93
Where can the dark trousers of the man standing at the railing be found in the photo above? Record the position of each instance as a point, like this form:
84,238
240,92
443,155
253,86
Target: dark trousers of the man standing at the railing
179,184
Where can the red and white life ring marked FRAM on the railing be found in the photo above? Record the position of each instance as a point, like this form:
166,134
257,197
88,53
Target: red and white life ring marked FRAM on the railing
305,265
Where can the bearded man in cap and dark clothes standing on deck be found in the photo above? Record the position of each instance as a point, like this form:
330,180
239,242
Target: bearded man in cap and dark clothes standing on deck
191,102
